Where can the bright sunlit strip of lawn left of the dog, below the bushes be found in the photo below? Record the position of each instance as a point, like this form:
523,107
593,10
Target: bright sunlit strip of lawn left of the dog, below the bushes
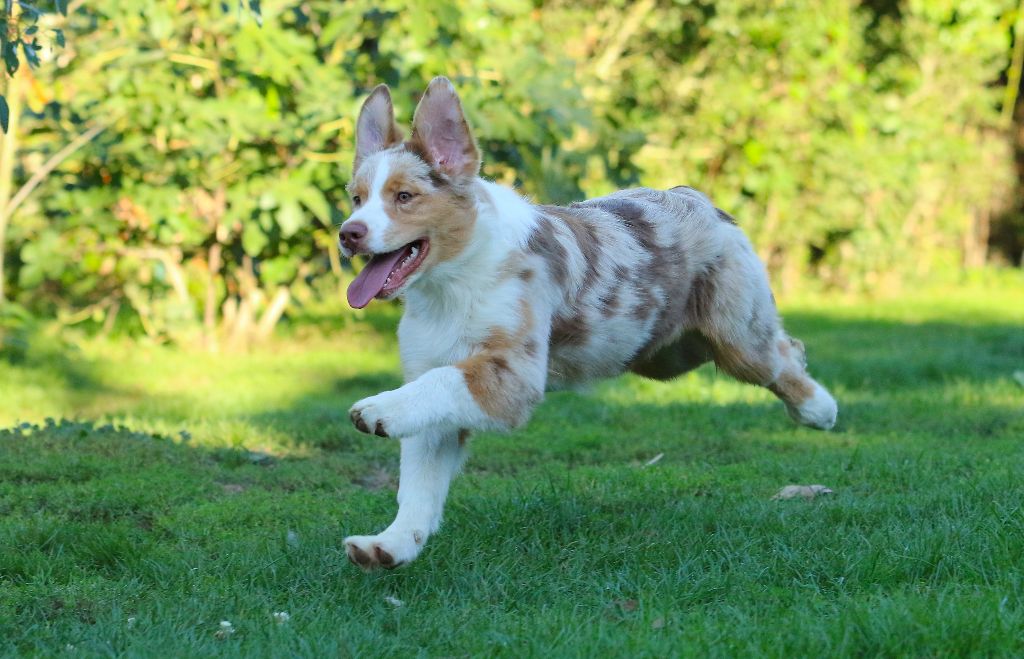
178,385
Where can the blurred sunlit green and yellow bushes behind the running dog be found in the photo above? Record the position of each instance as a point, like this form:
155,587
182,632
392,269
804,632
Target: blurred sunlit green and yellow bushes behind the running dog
177,169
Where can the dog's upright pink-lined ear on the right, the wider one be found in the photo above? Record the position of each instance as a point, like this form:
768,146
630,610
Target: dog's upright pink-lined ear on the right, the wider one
442,134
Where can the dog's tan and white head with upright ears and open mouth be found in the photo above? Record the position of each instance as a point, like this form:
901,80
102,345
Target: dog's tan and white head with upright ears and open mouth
413,205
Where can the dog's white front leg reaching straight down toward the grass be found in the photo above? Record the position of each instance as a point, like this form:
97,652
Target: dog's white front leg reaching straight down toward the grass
429,465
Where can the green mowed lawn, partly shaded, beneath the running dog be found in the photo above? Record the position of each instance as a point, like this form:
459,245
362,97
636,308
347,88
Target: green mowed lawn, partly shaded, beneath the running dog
119,535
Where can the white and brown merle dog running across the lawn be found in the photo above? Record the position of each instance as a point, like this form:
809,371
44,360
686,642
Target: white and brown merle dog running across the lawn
514,299
